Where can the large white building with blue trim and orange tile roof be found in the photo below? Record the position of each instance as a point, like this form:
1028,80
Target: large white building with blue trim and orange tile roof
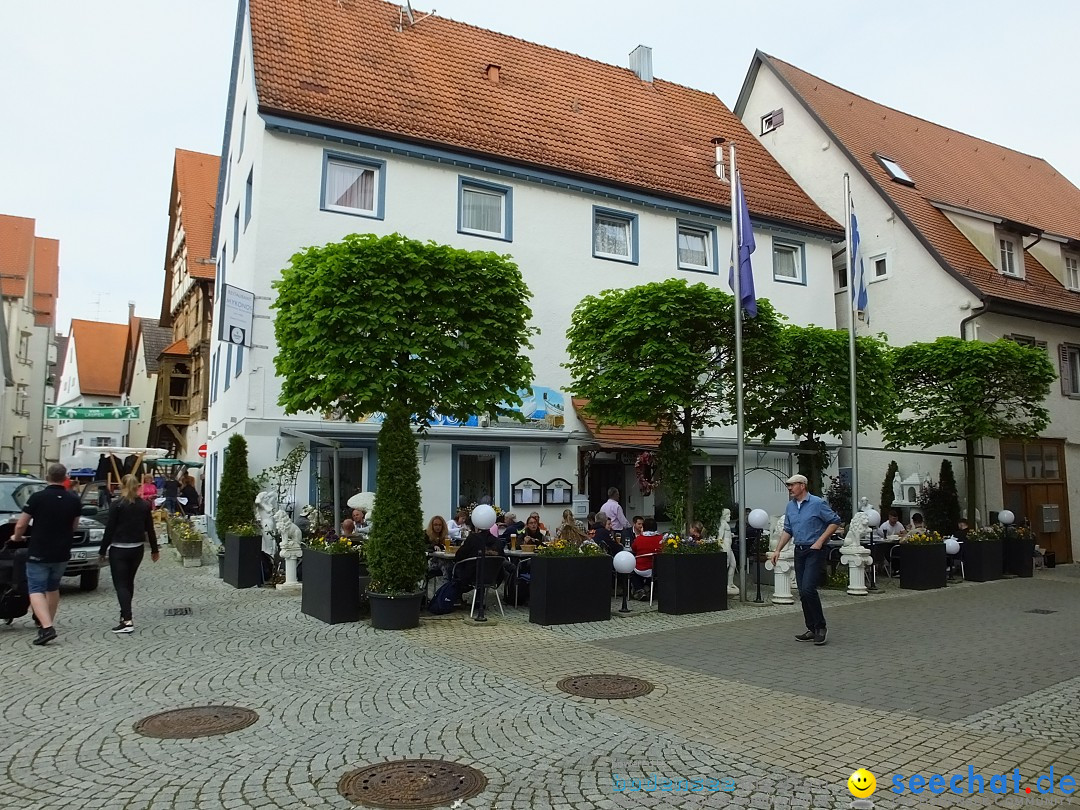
590,177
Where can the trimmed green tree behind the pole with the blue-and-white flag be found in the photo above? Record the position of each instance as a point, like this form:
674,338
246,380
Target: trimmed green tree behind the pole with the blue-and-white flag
813,398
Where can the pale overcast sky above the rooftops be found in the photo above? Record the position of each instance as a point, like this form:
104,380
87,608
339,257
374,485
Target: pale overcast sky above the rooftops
99,93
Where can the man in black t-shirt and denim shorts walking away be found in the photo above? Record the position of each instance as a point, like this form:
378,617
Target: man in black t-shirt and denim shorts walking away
55,514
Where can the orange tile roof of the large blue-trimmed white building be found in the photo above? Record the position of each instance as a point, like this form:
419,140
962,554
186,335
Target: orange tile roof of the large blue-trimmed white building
547,110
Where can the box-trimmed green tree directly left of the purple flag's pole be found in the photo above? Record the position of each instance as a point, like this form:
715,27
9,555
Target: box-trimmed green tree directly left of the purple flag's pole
664,354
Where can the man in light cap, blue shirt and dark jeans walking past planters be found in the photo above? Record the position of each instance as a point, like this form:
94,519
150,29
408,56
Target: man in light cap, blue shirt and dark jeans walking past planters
811,521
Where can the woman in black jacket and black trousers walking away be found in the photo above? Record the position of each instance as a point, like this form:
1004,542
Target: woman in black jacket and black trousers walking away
130,526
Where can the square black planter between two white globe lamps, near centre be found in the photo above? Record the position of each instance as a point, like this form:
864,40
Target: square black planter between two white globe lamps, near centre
571,590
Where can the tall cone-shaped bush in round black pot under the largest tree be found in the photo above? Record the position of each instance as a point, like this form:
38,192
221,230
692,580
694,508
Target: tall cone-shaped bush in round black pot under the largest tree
396,549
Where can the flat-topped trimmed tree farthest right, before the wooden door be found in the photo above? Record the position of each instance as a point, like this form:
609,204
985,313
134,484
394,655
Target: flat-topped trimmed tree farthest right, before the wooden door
967,390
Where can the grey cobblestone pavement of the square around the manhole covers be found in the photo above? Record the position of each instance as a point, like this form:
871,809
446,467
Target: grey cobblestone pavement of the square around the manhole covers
910,683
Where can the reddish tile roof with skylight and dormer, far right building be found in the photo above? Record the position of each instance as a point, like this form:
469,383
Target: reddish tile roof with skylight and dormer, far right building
955,169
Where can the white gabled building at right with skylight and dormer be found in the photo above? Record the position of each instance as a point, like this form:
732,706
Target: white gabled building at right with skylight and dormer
960,237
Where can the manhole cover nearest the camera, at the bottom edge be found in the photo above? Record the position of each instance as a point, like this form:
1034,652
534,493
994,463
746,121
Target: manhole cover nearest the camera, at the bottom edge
413,784
